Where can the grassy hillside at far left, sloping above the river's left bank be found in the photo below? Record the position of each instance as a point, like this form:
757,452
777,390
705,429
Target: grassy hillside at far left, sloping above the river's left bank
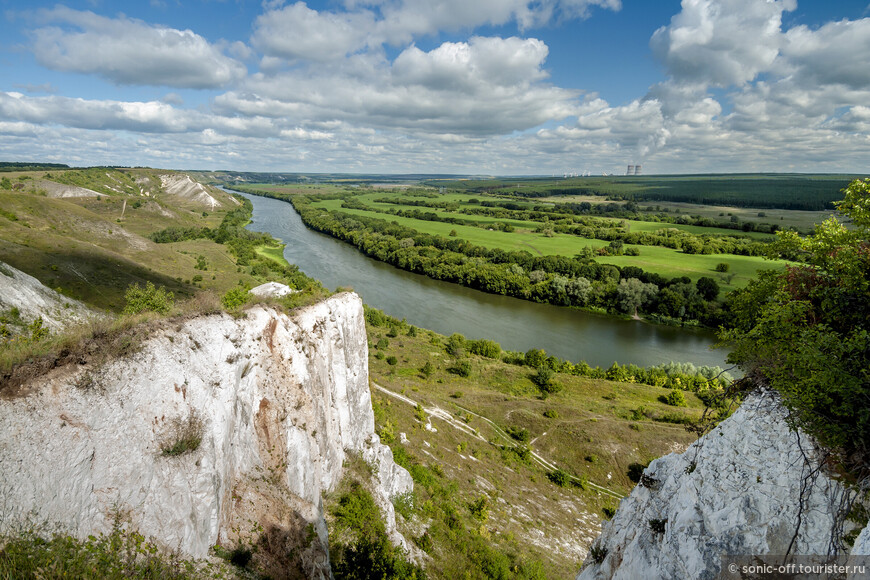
92,248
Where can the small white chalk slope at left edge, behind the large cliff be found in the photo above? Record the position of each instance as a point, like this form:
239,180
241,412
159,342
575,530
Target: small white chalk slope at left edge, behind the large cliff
33,299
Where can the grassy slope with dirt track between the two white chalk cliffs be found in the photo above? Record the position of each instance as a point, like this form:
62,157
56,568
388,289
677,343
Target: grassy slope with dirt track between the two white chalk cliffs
454,434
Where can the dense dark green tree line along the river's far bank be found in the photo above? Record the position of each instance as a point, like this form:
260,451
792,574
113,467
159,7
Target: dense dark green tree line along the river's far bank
560,280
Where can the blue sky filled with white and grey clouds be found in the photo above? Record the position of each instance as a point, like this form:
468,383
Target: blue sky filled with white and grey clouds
485,87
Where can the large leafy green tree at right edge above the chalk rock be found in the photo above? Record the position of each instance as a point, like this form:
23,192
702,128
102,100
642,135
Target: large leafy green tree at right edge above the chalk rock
805,332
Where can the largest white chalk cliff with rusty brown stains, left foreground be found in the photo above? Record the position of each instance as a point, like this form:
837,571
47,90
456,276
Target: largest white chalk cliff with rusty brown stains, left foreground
277,400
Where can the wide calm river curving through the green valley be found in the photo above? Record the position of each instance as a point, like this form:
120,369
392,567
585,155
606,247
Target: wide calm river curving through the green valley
447,308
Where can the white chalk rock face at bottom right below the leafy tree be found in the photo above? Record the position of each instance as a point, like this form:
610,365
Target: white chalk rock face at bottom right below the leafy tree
737,490
